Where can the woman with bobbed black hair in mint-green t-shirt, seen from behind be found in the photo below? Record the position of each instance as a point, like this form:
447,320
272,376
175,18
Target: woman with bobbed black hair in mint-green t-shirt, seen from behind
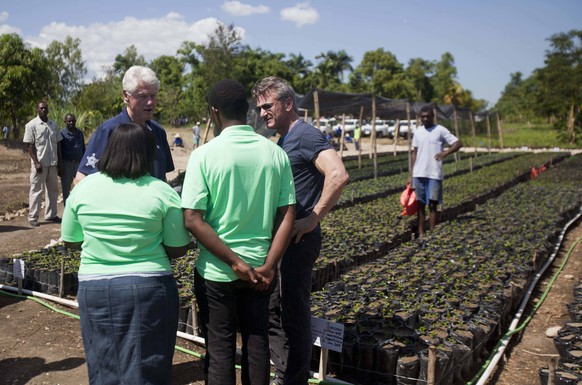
128,224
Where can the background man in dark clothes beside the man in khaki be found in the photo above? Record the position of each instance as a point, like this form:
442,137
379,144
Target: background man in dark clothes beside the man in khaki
72,150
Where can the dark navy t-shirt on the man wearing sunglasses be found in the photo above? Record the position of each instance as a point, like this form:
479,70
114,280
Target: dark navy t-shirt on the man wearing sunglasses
302,144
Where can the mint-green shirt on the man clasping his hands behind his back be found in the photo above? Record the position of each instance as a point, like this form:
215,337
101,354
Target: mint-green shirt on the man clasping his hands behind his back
239,179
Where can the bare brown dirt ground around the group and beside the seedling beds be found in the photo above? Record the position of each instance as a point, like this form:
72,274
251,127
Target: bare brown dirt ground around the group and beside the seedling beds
40,346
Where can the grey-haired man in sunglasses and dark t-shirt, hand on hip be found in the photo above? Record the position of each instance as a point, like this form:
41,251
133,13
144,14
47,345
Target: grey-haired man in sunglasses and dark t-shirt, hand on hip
319,177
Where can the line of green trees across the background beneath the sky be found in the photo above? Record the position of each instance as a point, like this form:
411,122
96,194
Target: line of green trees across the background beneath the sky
57,74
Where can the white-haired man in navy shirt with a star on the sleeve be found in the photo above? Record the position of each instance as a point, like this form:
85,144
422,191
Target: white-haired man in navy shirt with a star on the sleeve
140,90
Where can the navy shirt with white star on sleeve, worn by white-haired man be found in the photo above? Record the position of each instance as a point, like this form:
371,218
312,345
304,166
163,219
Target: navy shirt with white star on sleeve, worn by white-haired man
163,162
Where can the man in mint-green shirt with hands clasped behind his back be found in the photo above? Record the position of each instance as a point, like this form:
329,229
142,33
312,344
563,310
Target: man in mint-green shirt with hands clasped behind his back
239,203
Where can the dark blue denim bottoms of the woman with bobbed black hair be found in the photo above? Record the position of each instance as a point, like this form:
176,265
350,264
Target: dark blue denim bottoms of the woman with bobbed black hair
129,325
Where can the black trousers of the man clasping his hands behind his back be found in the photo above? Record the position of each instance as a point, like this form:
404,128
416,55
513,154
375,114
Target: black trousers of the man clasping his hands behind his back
223,306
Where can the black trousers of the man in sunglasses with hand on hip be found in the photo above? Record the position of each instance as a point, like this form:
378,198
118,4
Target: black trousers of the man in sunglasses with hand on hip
290,311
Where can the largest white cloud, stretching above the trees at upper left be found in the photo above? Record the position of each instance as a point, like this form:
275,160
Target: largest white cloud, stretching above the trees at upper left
101,42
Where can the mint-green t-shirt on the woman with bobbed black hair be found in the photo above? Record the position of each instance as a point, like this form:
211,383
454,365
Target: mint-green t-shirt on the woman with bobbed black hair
124,224
